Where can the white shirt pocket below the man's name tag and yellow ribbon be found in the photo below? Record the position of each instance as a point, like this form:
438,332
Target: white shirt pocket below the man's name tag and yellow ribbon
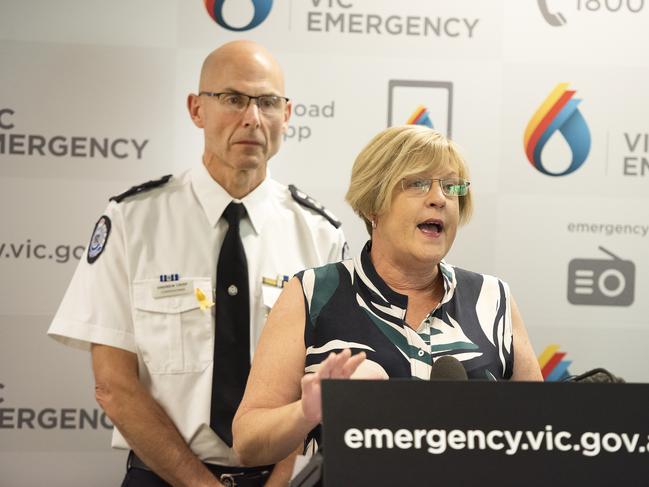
172,333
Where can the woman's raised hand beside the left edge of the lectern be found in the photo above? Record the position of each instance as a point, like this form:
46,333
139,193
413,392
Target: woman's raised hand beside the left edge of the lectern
336,366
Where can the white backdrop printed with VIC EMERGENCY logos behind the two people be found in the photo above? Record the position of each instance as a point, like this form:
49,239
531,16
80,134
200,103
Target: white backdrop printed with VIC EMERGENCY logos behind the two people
92,101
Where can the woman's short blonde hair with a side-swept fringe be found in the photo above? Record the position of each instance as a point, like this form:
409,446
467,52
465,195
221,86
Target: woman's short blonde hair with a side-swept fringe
397,153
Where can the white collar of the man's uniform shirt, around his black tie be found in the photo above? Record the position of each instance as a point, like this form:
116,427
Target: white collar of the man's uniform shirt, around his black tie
214,198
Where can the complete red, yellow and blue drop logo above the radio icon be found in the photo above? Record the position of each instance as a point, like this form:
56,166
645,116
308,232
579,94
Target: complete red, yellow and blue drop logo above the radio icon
558,112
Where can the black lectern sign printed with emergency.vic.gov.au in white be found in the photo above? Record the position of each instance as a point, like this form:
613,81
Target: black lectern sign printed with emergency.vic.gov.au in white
407,432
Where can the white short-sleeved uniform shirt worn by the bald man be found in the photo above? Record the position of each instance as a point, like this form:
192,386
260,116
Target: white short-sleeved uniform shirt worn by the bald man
177,229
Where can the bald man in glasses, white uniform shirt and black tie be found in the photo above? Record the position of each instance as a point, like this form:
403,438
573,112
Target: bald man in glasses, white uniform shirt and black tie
142,296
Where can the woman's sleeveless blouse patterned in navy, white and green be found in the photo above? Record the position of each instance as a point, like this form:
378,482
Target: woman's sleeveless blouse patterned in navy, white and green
348,305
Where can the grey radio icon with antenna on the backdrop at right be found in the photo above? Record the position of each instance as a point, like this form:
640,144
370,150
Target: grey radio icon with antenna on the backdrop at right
601,282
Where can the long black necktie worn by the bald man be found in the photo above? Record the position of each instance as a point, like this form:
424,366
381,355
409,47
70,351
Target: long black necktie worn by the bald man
232,327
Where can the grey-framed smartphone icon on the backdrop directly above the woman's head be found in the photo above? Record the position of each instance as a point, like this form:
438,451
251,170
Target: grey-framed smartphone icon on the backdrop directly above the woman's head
427,103
